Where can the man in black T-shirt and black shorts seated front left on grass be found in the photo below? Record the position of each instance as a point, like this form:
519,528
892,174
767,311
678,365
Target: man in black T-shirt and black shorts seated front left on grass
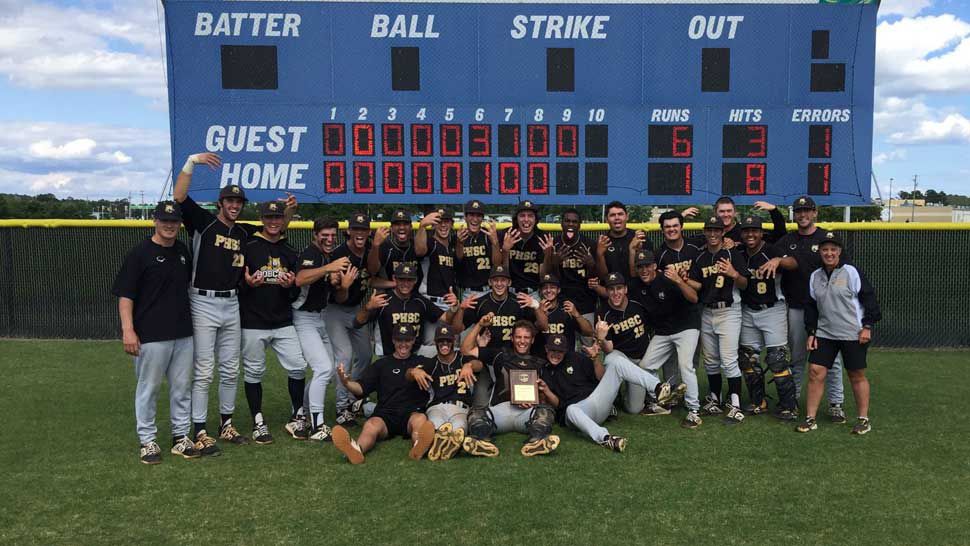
400,402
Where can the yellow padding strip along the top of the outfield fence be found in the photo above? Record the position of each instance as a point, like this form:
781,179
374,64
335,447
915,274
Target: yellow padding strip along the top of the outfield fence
54,223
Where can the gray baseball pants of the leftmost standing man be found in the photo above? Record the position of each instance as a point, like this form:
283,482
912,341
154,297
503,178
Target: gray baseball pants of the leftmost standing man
155,362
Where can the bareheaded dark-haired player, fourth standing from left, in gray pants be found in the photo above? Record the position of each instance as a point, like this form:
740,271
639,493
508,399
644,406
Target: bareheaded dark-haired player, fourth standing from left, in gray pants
316,278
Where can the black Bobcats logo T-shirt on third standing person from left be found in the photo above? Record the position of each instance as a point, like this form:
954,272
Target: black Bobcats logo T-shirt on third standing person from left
269,305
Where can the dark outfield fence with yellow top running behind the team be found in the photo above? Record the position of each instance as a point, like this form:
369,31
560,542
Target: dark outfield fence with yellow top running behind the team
56,276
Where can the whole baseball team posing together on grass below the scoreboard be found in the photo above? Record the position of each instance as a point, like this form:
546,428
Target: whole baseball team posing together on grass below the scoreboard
425,332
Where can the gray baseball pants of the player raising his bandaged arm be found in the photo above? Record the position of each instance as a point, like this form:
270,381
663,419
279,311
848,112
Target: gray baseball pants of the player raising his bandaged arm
216,333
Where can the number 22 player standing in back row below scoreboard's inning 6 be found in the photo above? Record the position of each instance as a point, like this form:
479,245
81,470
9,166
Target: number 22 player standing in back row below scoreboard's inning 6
477,250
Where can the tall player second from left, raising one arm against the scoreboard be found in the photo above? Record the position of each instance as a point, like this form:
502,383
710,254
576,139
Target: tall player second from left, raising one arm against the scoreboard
217,247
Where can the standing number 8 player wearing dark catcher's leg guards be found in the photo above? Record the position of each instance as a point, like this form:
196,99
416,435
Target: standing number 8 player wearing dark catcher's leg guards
764,324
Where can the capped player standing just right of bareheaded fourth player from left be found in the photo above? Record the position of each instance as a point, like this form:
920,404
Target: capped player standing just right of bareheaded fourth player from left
351,345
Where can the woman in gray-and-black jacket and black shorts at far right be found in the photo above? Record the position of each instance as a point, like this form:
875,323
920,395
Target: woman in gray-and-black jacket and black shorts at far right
839,320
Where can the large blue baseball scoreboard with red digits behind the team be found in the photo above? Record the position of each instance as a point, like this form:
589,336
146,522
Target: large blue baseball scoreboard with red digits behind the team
567,103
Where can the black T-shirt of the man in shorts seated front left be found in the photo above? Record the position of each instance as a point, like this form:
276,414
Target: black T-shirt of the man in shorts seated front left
395,394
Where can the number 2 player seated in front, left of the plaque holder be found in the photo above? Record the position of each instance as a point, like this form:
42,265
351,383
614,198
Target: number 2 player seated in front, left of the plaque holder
450,384
